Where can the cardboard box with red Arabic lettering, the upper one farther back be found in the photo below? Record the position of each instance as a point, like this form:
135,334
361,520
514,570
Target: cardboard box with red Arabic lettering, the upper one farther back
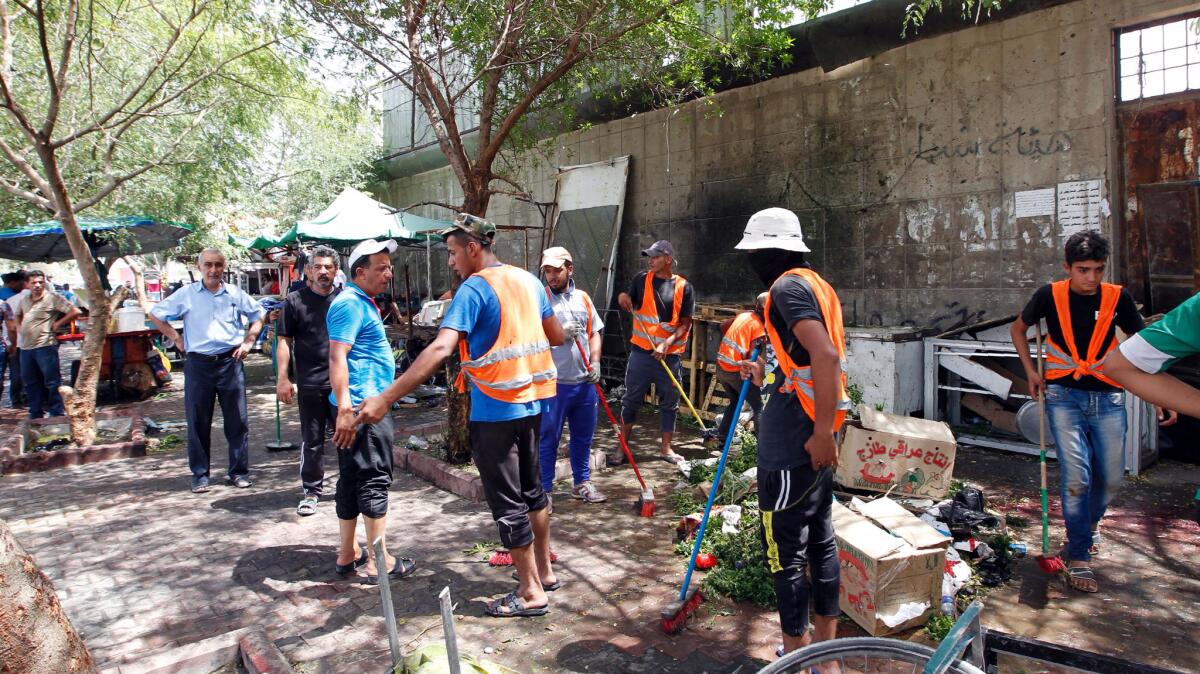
884,450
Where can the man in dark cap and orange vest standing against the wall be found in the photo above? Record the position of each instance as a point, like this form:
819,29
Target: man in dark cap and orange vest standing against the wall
662,304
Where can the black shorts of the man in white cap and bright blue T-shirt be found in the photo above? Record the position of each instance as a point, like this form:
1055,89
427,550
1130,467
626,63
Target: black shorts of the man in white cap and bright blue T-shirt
365,472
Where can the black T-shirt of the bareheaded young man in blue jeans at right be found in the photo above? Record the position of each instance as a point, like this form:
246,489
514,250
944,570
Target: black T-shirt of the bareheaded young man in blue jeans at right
1084,315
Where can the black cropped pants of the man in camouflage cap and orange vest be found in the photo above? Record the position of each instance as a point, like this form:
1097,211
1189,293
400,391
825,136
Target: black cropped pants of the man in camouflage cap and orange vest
506,453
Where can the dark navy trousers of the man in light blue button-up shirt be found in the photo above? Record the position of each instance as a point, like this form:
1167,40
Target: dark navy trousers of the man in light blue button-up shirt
225,380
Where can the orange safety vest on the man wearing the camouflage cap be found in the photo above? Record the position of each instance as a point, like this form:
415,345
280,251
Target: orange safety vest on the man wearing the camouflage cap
519,368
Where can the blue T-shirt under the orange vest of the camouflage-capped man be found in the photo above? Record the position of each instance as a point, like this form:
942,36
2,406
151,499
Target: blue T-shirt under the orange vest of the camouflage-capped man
476,311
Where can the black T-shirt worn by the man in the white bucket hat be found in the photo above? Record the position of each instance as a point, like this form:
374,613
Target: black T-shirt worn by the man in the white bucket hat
785,426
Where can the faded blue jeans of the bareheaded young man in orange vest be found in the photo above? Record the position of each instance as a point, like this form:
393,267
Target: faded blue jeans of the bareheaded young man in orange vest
1089,434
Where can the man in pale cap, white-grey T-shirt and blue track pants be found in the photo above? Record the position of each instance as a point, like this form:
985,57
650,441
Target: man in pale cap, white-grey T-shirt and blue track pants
575,400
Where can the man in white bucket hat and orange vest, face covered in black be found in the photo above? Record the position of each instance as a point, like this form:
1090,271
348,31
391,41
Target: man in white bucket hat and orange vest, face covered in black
803,377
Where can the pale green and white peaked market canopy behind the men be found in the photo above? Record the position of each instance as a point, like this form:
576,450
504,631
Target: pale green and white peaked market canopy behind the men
355,216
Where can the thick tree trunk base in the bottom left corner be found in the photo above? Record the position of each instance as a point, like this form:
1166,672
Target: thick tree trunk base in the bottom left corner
35,634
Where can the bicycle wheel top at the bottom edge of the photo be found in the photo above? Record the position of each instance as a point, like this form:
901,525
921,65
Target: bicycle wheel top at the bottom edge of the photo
862,655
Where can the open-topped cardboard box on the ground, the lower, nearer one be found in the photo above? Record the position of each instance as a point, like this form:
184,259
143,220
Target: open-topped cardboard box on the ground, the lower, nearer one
892,567
